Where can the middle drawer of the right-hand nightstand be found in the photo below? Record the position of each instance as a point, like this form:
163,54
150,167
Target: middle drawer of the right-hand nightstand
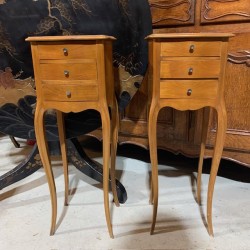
190,68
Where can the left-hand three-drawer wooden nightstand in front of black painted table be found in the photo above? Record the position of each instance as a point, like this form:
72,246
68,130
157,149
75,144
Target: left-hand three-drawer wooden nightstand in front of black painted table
72,74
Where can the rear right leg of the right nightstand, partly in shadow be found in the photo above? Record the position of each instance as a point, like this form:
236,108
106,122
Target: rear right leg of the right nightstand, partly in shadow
202,150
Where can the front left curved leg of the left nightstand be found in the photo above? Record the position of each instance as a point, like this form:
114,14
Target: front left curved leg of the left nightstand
43,150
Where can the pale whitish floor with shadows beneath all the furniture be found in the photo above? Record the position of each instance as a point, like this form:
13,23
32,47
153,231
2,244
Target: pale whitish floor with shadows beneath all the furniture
26,211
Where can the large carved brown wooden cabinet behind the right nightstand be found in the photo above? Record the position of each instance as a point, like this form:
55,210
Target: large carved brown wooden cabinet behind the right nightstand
180,131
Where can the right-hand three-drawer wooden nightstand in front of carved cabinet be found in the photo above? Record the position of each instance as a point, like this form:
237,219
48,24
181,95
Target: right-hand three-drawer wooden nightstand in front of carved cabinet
186,72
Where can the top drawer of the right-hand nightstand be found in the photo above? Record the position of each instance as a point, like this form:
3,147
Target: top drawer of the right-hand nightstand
191,48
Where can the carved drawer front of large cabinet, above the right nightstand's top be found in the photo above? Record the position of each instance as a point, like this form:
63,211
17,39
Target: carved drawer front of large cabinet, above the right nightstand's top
175,12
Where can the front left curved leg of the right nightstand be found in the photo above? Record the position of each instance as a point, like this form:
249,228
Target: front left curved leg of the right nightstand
152,136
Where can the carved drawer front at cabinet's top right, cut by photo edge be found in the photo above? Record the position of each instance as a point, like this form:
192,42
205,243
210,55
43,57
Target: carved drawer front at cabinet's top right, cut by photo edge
225,10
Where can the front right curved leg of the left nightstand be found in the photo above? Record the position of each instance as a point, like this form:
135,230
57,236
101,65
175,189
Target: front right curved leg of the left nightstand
106,157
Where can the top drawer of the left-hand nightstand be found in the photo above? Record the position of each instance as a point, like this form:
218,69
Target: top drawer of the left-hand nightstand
67,51
